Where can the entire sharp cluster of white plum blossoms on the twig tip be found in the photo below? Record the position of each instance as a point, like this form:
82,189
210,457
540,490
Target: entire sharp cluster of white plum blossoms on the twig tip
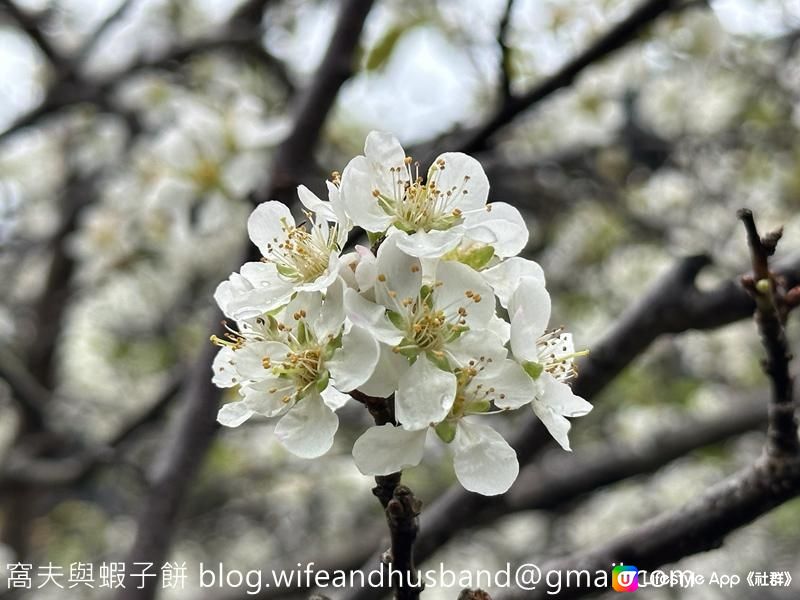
439,316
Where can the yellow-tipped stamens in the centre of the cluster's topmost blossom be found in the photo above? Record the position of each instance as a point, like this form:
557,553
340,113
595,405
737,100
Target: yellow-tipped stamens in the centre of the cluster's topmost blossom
420,206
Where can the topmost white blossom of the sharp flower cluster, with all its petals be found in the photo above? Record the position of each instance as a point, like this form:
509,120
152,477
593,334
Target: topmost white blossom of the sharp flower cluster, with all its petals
383,190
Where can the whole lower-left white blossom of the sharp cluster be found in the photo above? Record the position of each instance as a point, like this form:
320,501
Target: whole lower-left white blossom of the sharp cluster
295,366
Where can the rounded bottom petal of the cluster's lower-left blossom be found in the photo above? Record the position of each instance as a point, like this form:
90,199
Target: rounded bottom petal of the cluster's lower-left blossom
307,430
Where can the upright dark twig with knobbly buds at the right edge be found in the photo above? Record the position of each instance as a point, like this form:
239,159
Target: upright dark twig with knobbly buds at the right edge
770,316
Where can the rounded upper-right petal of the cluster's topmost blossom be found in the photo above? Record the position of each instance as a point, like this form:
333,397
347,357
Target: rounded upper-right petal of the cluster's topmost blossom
457,167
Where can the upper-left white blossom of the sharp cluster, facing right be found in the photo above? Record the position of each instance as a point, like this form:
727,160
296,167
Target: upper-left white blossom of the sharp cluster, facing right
296,258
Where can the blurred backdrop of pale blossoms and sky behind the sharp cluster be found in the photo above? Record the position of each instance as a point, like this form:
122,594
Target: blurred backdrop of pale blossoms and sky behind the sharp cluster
136,137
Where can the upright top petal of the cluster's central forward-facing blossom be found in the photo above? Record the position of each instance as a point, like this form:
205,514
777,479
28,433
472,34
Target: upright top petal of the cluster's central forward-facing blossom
402,273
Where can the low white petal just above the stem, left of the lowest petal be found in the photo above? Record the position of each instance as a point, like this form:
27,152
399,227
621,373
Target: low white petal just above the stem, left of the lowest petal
386,449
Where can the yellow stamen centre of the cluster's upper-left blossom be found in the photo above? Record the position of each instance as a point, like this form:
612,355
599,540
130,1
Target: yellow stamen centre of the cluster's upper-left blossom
304,252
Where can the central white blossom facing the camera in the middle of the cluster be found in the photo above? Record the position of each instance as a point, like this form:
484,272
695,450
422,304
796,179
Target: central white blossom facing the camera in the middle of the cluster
420,321
